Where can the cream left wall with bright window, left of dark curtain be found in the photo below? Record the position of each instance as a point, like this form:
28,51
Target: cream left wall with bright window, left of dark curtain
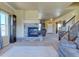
4,33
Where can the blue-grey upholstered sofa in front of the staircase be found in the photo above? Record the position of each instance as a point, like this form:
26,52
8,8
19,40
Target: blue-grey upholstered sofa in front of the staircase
68,49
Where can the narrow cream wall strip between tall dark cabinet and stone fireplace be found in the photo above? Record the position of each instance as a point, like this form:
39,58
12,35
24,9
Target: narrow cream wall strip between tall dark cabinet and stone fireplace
19,24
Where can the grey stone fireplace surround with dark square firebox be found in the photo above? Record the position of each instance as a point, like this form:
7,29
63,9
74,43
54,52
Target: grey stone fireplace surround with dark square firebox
31,31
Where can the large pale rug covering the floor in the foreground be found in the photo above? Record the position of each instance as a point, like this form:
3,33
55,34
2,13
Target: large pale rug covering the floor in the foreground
31,51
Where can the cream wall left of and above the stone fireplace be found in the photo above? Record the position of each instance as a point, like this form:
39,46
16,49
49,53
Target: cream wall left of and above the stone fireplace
25,17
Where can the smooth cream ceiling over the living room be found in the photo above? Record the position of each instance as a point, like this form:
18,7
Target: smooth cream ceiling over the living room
46,9
